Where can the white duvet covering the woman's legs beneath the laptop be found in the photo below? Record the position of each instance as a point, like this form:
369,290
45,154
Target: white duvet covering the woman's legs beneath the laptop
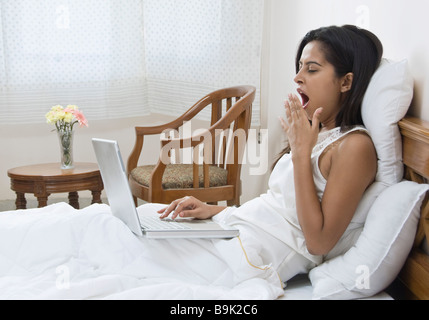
58,252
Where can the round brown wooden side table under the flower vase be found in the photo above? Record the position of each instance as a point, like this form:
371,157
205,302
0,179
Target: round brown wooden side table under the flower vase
45,179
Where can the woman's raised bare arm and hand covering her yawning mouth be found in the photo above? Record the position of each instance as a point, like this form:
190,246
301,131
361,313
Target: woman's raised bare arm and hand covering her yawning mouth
352,168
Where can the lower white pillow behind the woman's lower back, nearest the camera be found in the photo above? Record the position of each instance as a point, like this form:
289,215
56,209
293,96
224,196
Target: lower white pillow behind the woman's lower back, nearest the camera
375,260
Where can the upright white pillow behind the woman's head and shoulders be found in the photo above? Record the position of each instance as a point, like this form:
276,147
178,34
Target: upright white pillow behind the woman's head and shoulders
386,102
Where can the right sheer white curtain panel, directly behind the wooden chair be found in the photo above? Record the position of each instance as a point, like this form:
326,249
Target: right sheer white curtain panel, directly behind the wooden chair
197,46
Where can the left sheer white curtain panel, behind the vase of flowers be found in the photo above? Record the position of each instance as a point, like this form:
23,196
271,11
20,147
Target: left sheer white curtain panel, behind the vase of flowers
84,52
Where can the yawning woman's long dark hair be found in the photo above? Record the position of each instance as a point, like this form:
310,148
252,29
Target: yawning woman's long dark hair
348,49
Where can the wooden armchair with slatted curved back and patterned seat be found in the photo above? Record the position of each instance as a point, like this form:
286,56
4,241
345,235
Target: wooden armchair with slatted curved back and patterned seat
217,152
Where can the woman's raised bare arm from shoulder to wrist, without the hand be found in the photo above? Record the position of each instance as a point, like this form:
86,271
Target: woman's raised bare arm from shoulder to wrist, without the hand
352,170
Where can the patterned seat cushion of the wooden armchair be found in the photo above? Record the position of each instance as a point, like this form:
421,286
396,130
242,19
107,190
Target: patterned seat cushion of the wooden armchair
180,176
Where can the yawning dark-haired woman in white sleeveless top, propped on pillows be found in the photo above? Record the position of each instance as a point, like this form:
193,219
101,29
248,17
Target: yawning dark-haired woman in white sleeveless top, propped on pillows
315,189
